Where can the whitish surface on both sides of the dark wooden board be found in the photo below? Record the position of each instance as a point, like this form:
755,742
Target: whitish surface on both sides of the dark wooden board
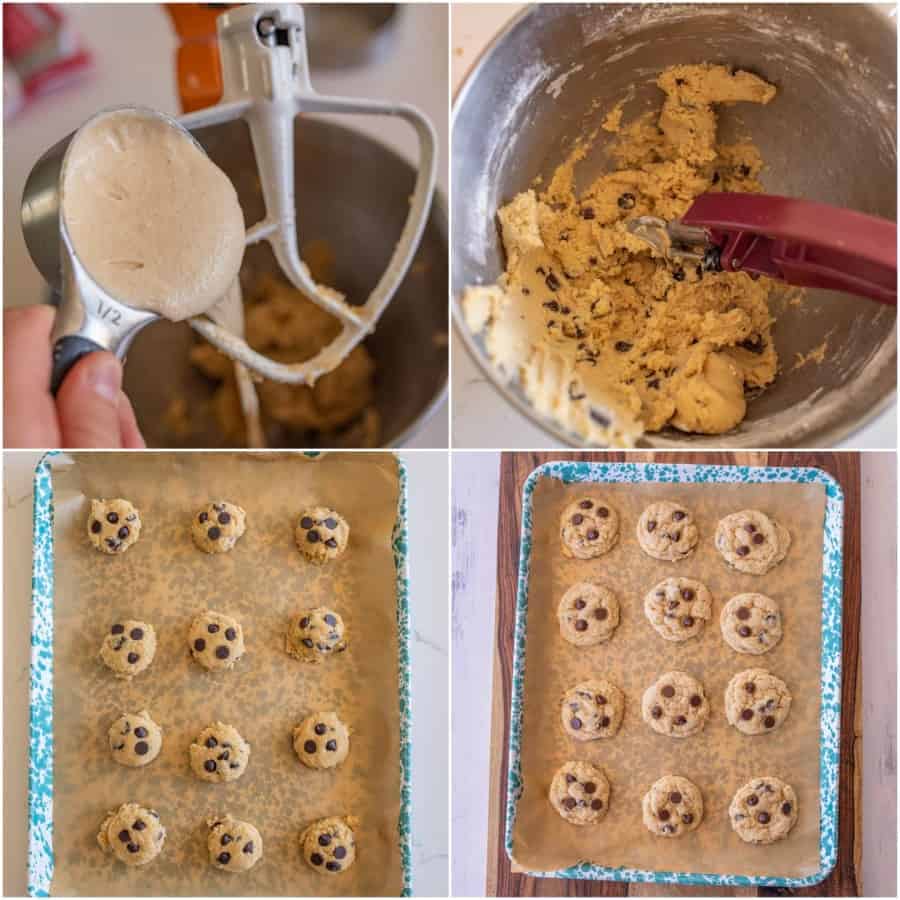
476,481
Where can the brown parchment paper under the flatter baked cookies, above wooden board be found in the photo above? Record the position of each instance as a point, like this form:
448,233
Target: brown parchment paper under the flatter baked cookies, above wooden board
719,759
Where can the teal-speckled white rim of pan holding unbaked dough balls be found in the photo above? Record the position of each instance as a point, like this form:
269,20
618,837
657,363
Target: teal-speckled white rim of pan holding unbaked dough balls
40,730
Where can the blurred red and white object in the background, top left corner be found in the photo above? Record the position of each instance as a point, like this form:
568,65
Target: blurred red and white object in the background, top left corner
42,47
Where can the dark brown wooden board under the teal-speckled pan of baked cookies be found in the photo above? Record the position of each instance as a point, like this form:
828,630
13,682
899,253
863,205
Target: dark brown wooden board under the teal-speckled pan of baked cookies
845,879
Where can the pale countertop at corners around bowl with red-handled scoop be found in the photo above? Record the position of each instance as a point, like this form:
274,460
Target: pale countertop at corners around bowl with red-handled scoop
481,416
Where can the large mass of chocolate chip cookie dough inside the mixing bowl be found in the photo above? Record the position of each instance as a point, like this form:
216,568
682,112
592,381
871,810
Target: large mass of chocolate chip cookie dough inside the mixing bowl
606,337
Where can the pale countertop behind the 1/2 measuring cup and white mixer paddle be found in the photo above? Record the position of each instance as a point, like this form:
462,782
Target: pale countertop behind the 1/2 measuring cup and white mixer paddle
134,62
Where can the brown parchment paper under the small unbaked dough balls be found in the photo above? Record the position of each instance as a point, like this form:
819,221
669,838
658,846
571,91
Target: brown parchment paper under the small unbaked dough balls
165,580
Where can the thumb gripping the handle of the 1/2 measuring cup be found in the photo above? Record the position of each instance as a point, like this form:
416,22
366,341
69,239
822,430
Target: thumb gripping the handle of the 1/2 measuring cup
88,402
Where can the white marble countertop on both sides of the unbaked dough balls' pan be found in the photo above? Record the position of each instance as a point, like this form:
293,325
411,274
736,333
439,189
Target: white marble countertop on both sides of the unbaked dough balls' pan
428,562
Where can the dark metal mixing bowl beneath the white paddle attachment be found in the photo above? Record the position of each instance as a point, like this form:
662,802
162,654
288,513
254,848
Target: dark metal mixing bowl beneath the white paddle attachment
353,194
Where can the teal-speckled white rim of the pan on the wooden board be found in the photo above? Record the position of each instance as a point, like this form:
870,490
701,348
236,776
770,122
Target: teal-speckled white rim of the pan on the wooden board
830,714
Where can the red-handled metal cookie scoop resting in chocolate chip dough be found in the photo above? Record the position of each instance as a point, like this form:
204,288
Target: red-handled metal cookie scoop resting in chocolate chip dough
801,243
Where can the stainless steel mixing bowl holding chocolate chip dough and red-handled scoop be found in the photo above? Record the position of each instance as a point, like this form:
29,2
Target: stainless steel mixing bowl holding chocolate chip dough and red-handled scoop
830,135
